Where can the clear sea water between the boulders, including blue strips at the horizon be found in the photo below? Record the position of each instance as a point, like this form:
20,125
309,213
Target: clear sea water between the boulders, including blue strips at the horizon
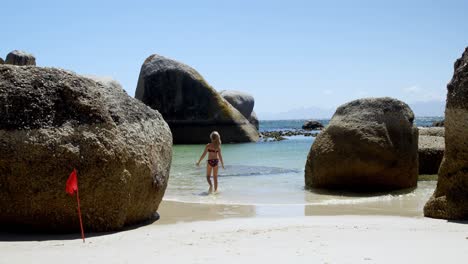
272,173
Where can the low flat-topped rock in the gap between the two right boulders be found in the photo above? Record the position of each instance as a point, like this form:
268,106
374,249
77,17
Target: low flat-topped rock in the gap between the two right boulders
430,153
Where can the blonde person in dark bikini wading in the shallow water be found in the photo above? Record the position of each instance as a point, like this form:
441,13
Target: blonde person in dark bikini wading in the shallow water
214,157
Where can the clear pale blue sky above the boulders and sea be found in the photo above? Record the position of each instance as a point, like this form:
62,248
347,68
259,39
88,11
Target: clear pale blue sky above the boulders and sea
288,54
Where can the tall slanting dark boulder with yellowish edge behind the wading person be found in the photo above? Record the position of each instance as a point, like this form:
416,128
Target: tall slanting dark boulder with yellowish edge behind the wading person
191,107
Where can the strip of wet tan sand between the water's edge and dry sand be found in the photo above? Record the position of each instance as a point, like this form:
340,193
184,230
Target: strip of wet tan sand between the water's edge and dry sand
176,212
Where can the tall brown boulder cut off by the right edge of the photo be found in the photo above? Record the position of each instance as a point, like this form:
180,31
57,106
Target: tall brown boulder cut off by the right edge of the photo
450,199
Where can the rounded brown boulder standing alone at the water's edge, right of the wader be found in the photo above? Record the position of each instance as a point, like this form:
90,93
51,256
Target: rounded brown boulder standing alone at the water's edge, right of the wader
369,145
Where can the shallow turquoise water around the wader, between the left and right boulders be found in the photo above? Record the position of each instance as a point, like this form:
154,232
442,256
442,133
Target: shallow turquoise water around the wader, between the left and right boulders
255,173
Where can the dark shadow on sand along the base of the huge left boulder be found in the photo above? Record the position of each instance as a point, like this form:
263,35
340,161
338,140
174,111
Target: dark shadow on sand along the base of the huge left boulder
21,234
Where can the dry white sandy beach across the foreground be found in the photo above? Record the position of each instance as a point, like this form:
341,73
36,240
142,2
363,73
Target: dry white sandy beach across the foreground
311,239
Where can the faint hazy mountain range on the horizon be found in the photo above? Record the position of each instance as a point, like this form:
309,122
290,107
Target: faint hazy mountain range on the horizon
429,108
